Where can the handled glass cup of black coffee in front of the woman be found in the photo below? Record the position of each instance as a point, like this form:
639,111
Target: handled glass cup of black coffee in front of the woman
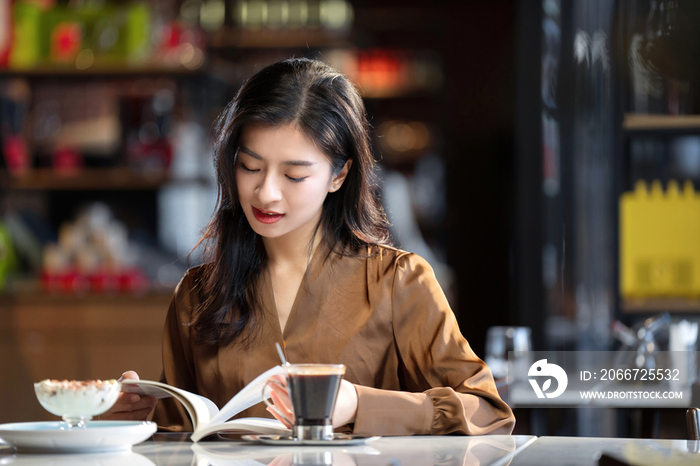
313,389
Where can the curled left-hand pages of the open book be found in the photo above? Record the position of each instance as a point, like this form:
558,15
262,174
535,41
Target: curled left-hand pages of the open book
200,409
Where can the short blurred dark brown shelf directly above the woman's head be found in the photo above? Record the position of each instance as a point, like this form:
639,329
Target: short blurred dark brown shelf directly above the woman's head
279,38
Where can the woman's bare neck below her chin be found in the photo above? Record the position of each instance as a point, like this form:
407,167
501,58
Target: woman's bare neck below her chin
290,251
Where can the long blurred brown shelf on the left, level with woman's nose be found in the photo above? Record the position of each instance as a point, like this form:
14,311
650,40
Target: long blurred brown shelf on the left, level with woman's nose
96,179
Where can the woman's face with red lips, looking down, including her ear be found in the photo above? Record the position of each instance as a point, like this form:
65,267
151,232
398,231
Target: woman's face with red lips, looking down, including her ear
283,179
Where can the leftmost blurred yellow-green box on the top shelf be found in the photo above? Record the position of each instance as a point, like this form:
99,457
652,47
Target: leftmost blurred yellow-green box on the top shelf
26,47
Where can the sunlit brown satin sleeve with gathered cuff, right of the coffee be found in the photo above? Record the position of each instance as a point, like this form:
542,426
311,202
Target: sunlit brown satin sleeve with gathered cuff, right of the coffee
448,389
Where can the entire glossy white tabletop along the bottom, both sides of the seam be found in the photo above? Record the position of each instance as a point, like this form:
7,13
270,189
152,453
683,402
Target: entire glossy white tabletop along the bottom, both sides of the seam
497,450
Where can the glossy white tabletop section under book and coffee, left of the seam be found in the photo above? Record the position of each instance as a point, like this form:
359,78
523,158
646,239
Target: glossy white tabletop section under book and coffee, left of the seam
496,450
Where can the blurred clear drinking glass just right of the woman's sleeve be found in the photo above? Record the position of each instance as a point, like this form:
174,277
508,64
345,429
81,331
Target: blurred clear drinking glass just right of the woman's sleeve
500,341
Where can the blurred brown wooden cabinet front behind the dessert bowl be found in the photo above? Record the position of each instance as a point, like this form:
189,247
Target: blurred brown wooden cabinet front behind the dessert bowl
68,337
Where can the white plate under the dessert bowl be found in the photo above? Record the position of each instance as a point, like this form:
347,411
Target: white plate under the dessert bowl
96,436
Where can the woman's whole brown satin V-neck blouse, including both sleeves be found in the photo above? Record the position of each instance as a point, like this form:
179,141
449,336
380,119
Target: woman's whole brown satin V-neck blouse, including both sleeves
384,316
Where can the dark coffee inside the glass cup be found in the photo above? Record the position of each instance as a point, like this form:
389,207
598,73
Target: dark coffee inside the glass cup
313,397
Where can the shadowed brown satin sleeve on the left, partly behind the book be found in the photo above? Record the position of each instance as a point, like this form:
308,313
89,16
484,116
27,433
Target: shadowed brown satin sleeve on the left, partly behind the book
178,367
